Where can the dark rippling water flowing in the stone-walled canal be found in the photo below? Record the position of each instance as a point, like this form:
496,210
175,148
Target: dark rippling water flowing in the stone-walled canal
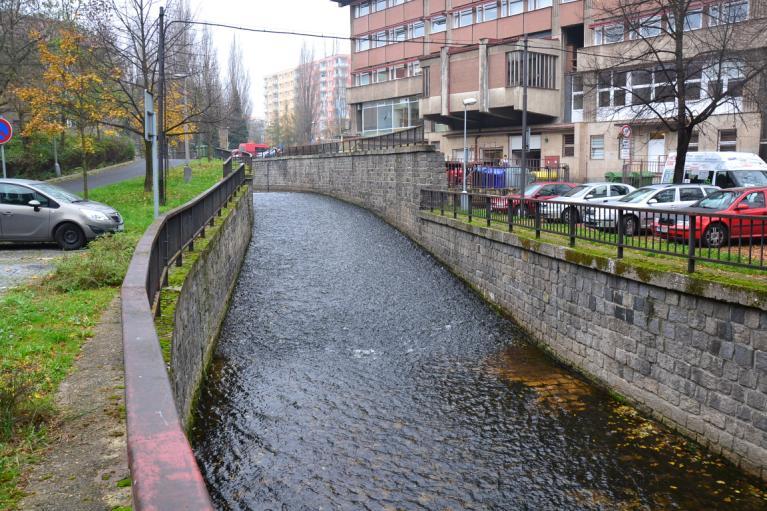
355,372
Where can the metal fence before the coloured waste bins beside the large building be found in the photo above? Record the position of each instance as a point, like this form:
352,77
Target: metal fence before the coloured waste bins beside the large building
502,176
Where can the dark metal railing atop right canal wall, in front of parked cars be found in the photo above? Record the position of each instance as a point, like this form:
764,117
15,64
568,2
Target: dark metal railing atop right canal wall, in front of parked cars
730,239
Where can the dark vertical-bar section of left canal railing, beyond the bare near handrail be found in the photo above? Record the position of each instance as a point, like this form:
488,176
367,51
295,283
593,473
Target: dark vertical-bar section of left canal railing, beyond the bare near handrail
181,227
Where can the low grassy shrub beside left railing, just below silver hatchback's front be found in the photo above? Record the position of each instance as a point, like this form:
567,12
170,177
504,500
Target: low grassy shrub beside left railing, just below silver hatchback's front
104,264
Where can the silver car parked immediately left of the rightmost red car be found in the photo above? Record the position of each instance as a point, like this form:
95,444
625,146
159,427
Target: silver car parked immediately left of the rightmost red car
646,199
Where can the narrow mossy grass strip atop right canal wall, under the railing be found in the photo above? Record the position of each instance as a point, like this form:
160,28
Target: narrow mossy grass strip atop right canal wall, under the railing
645,264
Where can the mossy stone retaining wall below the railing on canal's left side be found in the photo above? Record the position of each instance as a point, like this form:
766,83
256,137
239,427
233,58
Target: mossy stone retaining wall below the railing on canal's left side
203,302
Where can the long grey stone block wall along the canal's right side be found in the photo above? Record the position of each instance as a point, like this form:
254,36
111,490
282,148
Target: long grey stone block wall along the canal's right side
693,355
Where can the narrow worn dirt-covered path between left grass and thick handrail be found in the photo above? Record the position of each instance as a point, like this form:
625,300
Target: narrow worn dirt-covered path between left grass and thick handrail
87,458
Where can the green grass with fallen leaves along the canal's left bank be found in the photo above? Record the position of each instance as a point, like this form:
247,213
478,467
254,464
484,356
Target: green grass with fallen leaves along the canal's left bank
44,325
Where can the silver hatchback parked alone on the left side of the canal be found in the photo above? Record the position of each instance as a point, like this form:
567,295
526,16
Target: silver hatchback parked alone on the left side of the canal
38,211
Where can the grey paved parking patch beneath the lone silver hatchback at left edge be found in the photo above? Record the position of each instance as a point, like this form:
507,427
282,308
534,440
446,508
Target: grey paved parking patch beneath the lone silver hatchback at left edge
22,263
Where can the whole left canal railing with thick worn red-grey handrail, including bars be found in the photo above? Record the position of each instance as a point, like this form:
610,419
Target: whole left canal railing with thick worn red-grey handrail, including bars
163,468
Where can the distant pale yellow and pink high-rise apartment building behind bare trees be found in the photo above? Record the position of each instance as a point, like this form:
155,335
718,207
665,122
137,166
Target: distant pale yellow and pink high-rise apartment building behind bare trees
330,81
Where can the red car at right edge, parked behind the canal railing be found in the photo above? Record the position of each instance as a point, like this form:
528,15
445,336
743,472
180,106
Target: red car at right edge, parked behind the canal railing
715,231
